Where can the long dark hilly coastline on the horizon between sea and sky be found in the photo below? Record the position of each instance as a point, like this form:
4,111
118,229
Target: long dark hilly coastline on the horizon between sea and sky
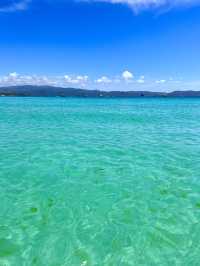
51,91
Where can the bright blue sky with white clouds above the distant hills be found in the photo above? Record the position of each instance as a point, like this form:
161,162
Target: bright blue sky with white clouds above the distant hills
111,44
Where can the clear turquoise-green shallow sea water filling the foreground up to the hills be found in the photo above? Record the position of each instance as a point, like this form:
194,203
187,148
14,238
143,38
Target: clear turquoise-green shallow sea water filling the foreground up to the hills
112,182
